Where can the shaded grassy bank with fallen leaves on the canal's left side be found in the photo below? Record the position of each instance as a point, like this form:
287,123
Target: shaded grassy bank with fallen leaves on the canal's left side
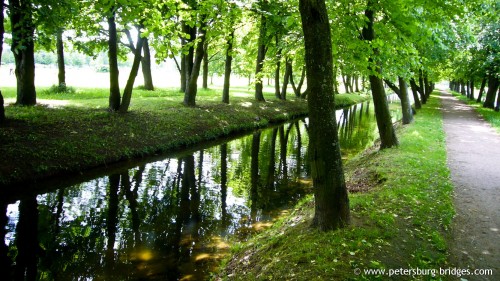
70,132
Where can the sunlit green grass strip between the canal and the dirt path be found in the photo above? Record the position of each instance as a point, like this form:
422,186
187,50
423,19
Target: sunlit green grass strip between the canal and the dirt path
400,223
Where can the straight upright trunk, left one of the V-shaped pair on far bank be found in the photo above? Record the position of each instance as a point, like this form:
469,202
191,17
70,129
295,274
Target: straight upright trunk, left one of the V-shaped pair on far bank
114,84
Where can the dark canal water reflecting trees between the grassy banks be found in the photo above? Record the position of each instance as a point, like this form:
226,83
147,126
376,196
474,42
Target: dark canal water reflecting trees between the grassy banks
168,219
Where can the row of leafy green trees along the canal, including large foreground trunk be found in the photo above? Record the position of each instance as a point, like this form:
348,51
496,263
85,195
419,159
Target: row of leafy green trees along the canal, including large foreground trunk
408,41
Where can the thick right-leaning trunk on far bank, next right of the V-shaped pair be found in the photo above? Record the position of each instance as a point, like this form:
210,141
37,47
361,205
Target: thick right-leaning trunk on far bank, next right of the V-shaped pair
192,84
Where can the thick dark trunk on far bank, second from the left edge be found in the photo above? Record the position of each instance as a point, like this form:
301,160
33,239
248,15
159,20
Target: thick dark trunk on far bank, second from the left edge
21,17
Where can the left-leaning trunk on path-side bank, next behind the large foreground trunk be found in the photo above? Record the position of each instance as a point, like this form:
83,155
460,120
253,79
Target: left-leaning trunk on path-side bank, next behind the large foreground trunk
384,122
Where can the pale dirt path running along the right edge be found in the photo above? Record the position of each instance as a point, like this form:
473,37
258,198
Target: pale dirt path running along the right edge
473,148
